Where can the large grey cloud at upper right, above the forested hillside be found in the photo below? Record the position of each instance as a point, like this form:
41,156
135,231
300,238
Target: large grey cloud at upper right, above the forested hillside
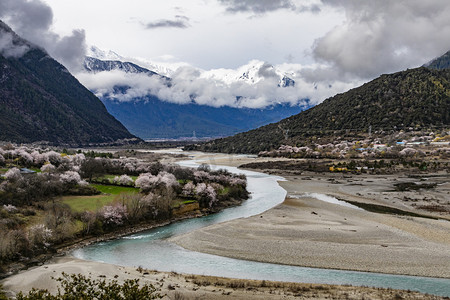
383,36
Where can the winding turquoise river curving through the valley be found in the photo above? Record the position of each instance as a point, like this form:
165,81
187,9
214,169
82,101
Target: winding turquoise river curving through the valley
150,249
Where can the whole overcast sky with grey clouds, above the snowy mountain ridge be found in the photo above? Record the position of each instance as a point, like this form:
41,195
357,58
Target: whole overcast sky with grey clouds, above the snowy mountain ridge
336,43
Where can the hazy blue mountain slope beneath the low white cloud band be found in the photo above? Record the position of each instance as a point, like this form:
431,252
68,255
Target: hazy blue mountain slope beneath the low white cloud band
151,118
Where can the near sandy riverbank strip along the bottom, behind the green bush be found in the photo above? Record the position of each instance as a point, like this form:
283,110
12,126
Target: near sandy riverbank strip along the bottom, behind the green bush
182,286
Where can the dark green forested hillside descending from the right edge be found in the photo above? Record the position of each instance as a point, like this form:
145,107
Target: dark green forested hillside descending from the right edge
413,98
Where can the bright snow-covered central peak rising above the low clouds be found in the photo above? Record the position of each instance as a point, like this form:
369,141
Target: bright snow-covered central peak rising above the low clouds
251,73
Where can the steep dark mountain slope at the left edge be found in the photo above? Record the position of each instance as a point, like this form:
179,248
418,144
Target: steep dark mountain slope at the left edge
41,101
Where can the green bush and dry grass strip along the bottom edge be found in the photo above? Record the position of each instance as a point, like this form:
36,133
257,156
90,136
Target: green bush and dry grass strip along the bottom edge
184,287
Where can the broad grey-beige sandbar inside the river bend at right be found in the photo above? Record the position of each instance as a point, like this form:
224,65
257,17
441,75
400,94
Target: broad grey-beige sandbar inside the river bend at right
305,231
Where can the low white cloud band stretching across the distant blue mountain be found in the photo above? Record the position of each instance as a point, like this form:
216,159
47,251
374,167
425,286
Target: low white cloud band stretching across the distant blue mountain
189,84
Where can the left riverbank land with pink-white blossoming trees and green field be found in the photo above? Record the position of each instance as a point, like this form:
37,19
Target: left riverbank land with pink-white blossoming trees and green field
74,195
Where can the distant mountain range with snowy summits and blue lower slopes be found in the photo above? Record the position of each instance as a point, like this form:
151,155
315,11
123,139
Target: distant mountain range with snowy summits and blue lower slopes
131,95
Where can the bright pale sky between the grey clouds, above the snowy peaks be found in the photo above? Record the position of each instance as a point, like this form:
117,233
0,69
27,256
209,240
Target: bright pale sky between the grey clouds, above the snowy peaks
204,33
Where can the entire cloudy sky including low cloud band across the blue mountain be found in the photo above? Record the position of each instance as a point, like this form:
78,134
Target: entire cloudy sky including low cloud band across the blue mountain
342,44
